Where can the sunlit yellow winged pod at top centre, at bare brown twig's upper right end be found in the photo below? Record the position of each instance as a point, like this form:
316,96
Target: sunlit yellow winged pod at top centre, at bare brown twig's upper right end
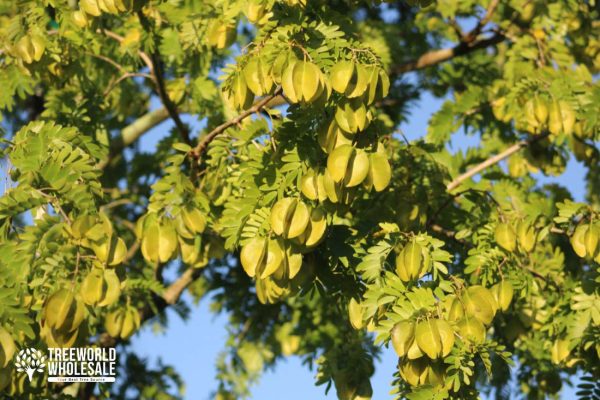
303,81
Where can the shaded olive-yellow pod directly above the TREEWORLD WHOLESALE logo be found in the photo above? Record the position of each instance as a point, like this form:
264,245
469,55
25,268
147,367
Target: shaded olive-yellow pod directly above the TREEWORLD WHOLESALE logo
63,312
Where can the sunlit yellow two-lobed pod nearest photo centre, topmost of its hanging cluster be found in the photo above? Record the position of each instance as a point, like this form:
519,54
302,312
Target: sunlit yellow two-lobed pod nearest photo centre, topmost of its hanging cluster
289,217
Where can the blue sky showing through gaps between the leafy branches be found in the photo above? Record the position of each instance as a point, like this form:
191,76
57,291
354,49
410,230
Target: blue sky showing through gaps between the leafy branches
192,345
